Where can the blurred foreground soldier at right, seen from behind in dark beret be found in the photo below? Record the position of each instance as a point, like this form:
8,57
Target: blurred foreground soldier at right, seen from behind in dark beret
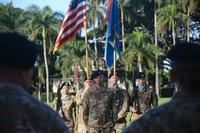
182,113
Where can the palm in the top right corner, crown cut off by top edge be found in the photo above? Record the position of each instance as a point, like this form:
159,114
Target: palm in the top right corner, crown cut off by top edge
188,7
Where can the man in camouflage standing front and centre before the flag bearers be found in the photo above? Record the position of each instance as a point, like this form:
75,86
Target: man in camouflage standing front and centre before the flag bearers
97,107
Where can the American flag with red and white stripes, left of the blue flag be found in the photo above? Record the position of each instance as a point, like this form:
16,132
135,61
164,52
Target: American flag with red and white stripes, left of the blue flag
73,21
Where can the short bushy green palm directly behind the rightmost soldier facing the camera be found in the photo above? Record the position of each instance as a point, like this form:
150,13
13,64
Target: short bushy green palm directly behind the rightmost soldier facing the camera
139,49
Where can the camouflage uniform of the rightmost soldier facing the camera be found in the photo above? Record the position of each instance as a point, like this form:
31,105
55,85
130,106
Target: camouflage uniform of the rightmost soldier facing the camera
143,102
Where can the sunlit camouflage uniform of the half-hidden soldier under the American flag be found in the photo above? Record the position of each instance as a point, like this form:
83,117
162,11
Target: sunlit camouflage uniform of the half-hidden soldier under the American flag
79,112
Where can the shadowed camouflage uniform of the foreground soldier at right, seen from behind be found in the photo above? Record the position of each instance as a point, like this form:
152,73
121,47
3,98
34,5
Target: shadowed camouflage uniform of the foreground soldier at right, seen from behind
180,115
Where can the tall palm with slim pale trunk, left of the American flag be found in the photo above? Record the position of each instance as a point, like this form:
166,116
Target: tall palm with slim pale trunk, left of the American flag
41,23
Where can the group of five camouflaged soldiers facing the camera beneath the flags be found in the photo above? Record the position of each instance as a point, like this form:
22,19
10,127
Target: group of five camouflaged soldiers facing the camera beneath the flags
102,108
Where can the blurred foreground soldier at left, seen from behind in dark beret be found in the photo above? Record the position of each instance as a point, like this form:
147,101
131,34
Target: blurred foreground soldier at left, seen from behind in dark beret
20,112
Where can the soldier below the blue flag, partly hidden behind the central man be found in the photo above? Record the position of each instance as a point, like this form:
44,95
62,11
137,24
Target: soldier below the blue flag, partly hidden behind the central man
119,104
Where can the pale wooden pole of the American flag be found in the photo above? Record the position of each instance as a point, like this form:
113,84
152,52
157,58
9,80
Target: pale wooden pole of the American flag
86,51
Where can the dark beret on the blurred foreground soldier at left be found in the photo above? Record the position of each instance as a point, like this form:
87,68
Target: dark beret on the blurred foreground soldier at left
17,51
